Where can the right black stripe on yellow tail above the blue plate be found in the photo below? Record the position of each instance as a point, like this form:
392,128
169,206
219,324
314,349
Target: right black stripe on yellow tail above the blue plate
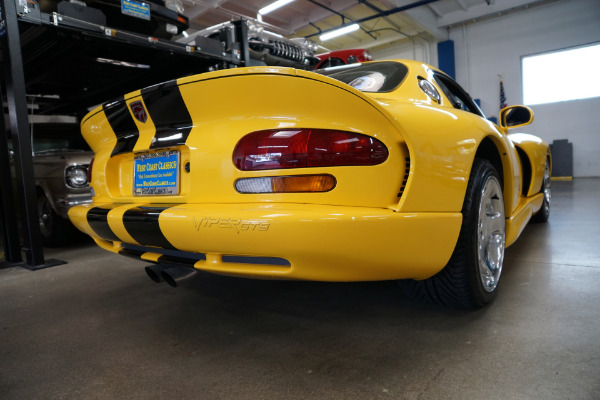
169,113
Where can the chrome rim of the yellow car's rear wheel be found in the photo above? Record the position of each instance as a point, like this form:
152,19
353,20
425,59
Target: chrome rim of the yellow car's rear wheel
491,233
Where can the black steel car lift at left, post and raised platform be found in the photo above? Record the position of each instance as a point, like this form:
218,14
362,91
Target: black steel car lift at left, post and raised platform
74,65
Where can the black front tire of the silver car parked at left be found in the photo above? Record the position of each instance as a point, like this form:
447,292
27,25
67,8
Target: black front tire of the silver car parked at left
55,230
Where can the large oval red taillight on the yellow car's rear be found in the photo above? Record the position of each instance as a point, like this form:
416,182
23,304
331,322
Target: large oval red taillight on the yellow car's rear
300,148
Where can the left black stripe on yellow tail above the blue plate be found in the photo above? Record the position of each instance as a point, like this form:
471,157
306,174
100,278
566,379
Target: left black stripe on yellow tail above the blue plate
123,125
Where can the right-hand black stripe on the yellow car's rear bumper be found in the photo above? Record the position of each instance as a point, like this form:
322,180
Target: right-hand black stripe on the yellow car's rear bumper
142,224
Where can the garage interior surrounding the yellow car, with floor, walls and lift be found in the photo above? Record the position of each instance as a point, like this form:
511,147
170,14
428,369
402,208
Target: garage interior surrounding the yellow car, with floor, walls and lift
80,322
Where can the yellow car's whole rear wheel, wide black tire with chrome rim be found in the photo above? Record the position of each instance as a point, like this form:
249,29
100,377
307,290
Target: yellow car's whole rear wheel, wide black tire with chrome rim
471,277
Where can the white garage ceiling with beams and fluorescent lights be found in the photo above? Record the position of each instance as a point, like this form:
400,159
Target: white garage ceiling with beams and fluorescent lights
407,19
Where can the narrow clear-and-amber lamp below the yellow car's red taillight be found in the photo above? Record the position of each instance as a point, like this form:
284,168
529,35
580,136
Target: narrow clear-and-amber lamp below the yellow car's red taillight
286,184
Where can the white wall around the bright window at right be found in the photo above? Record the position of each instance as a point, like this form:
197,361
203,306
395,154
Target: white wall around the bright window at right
495,46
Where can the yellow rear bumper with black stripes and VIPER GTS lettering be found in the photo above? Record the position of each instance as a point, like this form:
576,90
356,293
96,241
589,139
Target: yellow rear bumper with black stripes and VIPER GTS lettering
281,241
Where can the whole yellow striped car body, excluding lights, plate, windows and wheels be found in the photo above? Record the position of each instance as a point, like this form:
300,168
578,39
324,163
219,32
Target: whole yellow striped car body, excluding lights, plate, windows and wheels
398,219
